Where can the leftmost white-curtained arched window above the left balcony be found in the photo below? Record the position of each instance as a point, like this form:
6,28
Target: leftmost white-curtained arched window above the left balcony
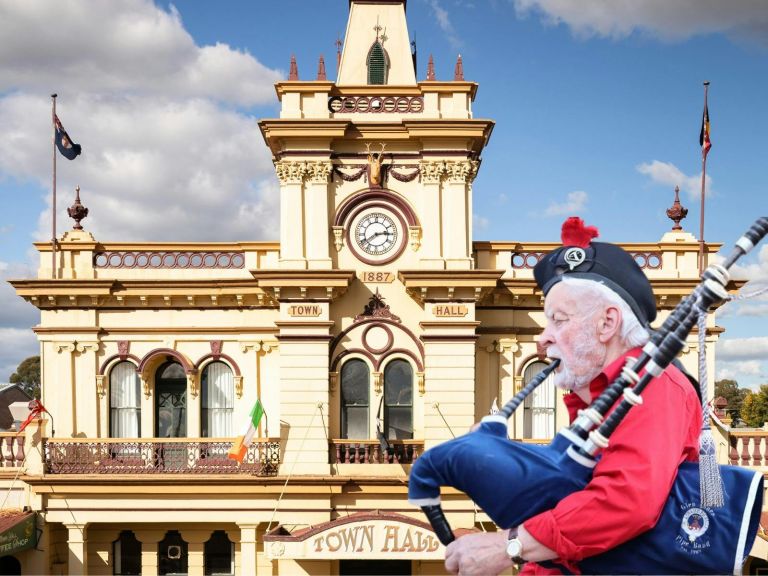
124,401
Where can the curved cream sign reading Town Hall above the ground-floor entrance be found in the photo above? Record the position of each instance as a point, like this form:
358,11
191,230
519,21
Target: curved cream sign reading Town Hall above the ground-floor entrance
384,538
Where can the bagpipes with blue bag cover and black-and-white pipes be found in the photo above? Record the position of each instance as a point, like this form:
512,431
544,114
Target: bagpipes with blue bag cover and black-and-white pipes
512,481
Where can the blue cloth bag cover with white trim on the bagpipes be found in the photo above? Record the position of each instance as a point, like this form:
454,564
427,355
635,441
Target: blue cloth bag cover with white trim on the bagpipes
512,482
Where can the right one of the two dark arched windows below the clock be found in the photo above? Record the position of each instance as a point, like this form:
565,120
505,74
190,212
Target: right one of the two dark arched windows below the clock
398,400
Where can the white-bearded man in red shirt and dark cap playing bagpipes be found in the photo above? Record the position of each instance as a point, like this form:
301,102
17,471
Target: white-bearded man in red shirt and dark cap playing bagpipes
598,307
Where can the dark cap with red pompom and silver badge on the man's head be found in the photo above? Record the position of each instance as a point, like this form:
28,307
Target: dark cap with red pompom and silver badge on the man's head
580,257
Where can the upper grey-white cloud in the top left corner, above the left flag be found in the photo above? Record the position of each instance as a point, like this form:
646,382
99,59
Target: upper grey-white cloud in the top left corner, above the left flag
121,46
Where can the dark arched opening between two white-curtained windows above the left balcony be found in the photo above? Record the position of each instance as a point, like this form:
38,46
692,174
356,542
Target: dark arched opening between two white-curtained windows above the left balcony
170,401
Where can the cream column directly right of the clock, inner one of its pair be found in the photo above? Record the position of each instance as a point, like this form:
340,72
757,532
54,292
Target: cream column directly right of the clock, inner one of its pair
431,249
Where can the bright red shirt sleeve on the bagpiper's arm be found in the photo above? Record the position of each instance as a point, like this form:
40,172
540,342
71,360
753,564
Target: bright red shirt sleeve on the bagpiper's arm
632,480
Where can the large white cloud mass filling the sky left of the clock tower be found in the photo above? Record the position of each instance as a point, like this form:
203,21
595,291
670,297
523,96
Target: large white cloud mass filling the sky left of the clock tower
165,156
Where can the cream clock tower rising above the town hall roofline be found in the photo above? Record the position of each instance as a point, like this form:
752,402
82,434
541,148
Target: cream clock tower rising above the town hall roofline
376,168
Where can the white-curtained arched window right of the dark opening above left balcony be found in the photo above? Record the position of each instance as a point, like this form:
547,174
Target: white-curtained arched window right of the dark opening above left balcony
218,389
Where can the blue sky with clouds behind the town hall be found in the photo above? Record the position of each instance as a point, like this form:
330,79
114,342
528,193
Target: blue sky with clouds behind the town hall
597,107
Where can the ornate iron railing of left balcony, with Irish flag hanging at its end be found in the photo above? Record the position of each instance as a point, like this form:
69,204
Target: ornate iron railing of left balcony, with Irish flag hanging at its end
158,456
